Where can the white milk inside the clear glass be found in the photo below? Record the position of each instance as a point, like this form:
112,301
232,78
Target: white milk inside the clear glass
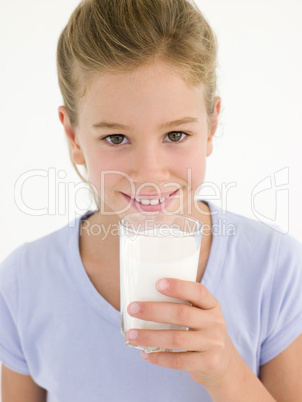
146,259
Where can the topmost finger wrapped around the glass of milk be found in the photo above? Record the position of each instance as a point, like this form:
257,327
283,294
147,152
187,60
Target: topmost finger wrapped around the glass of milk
194,292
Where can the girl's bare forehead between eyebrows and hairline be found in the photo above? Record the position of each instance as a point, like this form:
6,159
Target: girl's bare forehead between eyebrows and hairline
149,91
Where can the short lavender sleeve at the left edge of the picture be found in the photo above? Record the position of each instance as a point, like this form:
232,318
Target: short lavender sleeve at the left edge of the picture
11,354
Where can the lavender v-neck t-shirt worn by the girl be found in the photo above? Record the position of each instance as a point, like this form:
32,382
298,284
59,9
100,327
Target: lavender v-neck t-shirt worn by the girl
56,327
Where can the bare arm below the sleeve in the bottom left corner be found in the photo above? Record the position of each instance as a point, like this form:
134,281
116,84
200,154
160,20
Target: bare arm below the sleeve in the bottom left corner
20,388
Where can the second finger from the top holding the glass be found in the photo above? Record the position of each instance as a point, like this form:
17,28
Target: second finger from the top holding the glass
172,313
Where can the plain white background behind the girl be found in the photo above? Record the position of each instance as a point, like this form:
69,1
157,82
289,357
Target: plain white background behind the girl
260,133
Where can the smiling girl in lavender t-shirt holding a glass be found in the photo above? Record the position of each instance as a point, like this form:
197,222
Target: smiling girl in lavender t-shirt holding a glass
140,112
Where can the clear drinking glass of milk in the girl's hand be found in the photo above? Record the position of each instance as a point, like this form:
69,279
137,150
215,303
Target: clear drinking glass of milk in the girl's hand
154,246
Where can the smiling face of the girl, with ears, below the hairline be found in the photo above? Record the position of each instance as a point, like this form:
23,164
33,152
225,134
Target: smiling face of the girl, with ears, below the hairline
143,134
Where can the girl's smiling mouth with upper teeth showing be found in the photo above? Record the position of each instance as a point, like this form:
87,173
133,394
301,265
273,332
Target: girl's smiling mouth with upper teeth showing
151,203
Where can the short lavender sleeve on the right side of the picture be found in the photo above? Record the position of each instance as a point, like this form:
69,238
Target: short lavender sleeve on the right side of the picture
285,313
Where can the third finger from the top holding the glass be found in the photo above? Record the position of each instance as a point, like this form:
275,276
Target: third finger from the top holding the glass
173,340
